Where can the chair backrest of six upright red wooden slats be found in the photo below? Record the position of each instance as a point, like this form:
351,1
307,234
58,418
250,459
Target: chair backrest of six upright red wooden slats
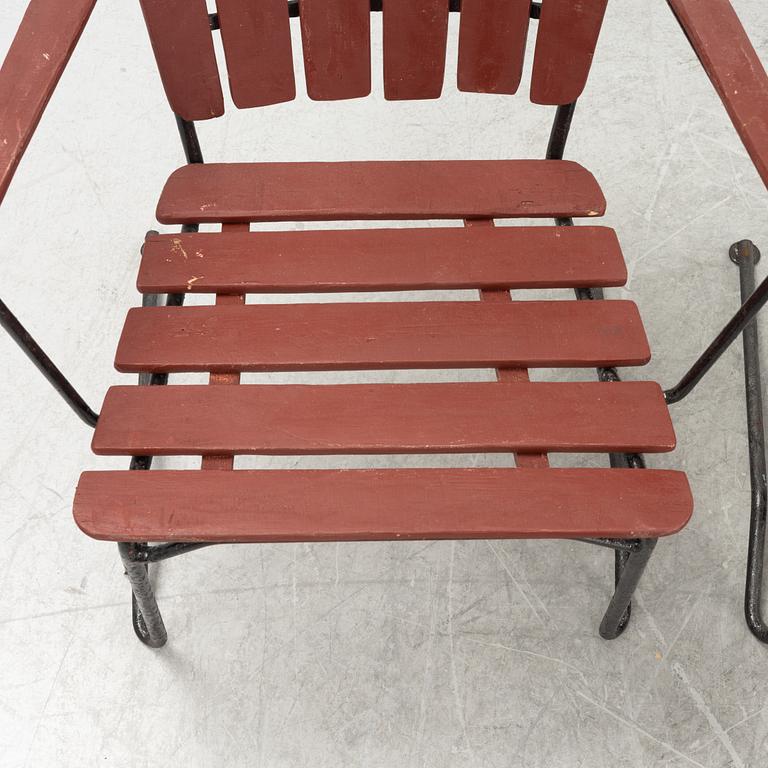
336,46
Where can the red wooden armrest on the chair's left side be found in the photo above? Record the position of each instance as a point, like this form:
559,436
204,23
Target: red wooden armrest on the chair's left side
36,59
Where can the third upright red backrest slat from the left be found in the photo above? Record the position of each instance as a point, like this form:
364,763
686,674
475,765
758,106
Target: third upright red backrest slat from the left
336,39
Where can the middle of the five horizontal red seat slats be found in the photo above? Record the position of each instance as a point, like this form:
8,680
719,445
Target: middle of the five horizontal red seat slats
382,335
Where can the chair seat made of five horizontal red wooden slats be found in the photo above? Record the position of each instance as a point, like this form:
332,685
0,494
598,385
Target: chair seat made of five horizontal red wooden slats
514,415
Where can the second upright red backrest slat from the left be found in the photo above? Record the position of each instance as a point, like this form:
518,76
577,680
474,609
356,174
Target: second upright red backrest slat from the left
257,44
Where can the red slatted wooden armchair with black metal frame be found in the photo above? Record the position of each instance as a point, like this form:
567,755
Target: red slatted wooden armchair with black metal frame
625,507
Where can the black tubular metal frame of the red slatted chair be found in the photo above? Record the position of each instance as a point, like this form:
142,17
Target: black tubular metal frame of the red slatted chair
630,555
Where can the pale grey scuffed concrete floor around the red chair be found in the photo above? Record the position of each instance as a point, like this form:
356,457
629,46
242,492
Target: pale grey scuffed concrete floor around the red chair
407,654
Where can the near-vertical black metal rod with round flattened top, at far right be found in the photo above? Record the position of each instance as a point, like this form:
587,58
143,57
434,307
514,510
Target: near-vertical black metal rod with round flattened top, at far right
745,255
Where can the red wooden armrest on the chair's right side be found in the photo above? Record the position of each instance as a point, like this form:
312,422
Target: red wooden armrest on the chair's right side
727,55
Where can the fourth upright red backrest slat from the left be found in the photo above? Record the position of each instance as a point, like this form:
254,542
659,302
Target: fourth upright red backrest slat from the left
415,36
